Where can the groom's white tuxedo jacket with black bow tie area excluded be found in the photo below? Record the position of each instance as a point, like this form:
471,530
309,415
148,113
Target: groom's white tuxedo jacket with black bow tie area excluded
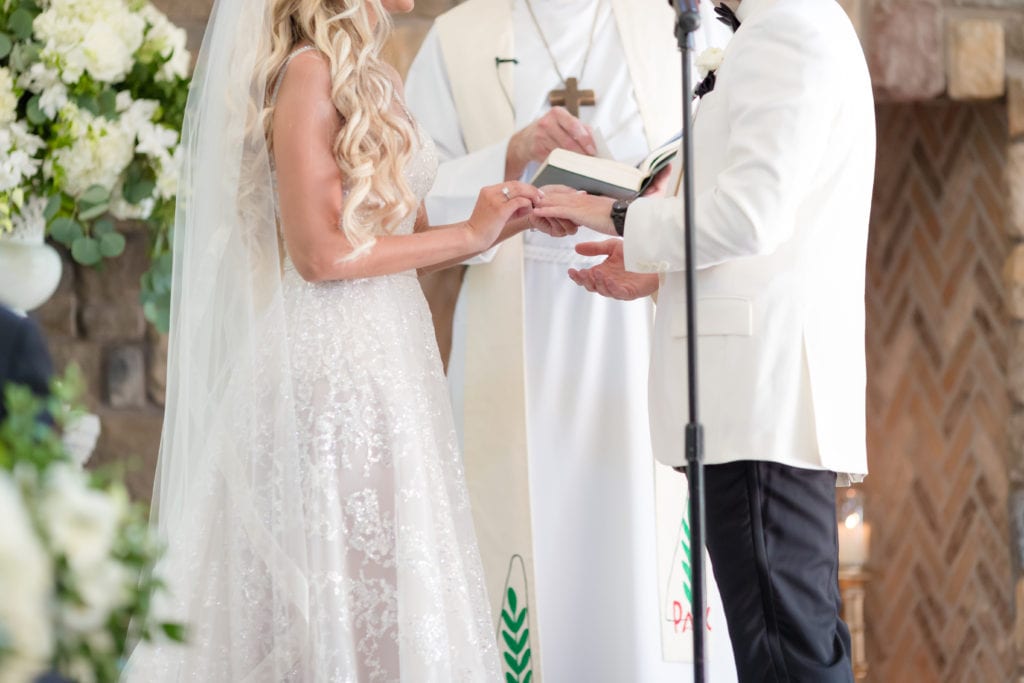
785,158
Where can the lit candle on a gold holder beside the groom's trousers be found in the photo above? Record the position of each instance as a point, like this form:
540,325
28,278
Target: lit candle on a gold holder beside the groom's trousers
855,547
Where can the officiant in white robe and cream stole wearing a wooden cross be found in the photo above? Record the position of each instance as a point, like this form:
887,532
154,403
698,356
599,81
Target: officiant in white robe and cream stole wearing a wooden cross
554,431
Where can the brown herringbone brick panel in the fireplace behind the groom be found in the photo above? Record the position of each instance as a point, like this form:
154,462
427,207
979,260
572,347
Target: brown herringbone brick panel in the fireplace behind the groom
940,606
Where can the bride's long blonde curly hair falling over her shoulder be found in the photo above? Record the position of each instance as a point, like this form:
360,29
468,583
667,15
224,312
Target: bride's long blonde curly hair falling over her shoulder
376,138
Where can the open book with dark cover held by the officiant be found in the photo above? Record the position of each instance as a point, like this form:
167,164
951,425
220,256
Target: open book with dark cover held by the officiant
605,177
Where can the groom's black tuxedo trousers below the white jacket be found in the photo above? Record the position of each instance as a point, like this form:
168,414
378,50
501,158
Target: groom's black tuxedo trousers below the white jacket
774,544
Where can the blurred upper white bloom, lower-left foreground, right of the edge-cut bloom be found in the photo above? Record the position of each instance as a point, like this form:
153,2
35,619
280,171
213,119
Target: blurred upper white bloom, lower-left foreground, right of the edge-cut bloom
81,522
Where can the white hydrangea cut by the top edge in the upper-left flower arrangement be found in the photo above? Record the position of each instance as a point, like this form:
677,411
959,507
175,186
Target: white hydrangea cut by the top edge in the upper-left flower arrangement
99,37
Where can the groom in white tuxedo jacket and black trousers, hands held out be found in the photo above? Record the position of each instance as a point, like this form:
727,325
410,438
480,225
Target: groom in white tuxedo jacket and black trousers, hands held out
785,152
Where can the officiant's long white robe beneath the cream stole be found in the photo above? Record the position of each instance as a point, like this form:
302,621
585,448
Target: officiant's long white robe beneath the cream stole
591,477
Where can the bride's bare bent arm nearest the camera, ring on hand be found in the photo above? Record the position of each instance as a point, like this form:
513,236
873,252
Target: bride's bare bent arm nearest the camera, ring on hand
310,190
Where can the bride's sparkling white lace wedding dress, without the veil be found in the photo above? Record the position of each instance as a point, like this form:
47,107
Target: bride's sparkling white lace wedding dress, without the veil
398,569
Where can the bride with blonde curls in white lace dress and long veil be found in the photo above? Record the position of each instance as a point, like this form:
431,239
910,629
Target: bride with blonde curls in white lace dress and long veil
310,487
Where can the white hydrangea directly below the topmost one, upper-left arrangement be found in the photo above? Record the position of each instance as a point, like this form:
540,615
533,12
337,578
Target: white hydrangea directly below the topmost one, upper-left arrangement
100,154
